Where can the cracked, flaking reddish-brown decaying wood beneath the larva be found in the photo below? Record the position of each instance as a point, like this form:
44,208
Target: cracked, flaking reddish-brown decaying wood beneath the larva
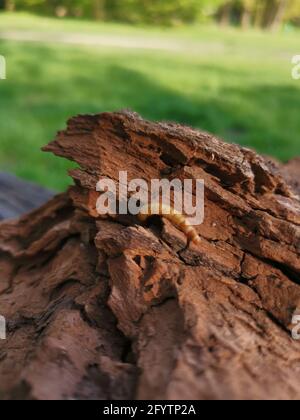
102,308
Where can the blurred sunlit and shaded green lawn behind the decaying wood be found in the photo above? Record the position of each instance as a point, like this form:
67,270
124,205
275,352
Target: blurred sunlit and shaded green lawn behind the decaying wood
235,84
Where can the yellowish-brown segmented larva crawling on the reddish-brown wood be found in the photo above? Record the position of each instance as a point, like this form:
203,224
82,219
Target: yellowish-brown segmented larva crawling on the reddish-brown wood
175,217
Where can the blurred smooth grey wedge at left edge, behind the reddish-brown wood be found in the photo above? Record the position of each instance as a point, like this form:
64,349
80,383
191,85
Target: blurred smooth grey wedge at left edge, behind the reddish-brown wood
18,197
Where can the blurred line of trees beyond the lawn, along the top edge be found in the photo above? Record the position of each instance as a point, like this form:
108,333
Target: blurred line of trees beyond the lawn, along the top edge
268,14
